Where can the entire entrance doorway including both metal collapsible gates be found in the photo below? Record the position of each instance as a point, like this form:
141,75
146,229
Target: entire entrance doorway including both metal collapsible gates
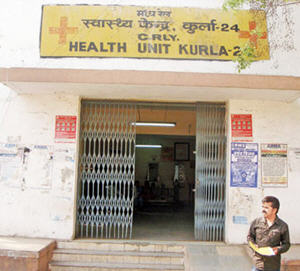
139,193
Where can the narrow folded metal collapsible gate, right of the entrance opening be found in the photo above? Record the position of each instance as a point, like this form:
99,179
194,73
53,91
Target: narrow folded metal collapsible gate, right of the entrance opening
210,172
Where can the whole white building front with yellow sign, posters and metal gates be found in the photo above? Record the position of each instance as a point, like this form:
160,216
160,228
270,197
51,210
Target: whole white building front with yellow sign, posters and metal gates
48,100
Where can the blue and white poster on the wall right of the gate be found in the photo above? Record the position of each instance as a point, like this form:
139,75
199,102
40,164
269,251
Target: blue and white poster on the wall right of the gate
244,164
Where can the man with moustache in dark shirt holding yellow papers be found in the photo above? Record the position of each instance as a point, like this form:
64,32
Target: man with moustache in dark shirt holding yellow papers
269,231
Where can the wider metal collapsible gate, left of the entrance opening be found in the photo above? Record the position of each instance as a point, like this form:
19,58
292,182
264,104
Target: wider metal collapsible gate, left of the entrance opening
106,170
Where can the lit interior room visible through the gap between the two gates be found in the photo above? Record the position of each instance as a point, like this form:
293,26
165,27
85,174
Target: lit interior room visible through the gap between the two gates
164,172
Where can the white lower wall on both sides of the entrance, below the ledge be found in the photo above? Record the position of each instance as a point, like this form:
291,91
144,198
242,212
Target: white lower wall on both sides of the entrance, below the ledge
31,208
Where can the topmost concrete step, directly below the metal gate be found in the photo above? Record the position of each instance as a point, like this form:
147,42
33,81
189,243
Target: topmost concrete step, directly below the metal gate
121,246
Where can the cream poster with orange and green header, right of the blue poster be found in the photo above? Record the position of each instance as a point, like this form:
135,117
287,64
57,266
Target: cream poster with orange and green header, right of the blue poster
274,166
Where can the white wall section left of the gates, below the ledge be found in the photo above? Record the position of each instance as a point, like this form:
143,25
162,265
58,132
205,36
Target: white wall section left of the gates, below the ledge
37,200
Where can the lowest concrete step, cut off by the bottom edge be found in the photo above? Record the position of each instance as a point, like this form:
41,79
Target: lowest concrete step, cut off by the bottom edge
87,266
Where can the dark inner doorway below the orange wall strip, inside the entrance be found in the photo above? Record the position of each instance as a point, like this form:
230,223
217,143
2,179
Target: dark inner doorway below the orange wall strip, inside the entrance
164,188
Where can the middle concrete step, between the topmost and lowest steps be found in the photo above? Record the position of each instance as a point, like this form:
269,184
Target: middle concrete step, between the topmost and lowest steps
143,257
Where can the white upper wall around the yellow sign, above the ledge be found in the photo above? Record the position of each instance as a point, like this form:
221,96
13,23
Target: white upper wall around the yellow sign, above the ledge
20,35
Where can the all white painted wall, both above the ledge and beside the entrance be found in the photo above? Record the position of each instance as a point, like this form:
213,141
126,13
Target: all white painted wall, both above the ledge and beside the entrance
27,120
